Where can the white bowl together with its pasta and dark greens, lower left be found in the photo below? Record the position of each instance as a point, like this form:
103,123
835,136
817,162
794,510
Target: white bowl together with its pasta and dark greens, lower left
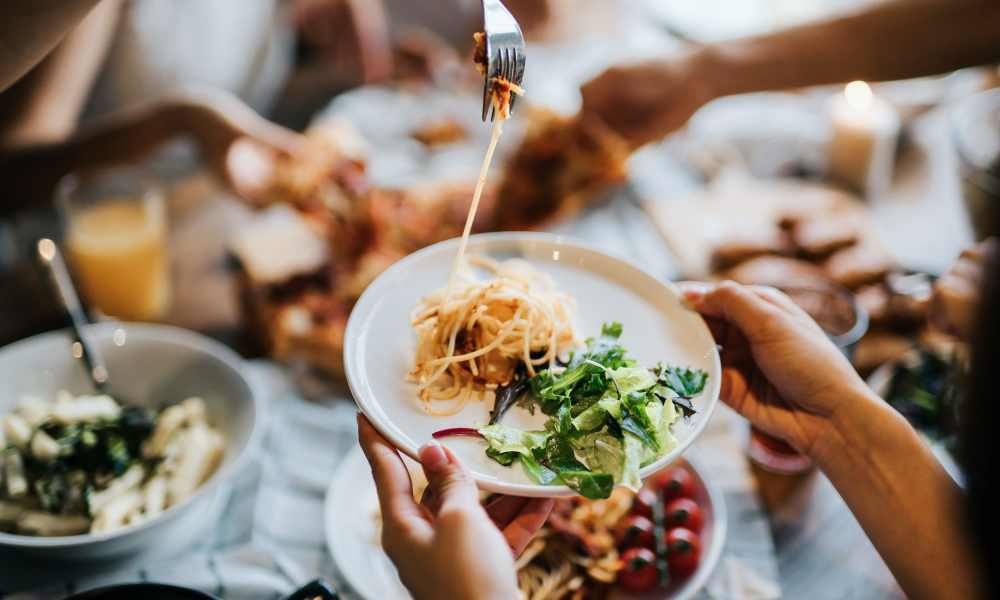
91,476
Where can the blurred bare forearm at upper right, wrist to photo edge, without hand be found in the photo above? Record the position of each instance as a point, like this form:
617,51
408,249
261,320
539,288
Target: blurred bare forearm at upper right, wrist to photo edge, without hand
894,39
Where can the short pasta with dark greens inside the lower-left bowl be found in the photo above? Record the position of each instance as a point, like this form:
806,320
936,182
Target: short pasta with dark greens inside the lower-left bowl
86,464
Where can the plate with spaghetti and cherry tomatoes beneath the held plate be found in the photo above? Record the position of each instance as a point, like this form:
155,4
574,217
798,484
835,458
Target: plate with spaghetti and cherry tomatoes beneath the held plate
588,548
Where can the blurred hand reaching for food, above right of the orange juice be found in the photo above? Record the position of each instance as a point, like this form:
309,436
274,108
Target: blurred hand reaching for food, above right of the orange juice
241,147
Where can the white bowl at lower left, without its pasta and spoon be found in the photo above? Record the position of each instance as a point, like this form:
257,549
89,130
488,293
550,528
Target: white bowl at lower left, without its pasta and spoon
151,365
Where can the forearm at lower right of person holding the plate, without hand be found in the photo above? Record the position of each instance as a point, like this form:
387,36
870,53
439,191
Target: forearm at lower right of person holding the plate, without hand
911,509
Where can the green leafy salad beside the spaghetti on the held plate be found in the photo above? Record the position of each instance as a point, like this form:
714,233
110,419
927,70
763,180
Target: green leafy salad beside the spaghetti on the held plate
608,417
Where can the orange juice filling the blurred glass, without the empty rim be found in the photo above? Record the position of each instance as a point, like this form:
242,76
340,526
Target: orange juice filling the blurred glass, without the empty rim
118,252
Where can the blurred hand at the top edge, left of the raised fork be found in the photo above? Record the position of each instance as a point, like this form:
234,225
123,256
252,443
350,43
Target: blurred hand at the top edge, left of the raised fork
352,34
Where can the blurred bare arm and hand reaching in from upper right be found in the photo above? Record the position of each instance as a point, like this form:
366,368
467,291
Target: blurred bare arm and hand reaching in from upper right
888,40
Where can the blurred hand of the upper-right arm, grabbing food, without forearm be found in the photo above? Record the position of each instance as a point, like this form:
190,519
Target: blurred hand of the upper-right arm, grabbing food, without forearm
646,101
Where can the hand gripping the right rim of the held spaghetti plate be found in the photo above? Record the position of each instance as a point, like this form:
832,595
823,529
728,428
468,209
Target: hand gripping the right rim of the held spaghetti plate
779,369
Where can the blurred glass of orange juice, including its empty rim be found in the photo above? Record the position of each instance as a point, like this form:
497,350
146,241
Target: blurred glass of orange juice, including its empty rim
115,235
